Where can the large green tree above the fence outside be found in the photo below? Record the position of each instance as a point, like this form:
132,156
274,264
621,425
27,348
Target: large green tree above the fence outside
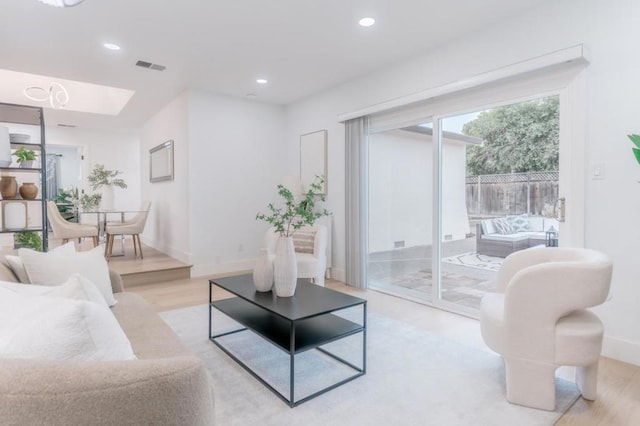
518,138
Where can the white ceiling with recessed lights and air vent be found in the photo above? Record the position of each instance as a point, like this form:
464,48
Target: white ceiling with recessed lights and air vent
300,46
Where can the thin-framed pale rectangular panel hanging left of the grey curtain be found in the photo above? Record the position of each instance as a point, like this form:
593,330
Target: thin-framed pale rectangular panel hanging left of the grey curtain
313,159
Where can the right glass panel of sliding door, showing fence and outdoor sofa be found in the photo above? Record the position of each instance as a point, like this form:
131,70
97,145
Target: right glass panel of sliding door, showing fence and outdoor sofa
499,193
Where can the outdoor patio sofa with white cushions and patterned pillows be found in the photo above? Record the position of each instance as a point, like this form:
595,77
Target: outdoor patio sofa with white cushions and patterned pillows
526,231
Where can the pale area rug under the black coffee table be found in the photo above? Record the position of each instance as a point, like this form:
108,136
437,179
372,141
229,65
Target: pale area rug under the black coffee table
413,378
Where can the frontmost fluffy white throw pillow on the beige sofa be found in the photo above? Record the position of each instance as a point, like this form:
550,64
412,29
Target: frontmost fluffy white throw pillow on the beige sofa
59,329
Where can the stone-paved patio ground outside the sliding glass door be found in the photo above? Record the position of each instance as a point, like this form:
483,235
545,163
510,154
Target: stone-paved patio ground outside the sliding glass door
466,277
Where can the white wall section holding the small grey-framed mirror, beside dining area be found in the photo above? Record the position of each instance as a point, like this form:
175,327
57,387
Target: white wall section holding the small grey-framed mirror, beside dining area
167,227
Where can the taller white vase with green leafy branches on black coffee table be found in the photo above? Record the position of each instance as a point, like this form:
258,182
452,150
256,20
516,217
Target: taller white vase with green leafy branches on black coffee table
286,220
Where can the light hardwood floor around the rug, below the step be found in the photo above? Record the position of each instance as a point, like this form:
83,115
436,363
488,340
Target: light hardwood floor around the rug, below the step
618,400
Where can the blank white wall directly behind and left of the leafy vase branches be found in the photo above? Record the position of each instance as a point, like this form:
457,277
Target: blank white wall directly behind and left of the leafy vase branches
237,157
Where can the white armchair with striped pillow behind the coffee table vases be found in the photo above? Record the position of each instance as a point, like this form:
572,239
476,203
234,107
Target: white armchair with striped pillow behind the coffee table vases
310,265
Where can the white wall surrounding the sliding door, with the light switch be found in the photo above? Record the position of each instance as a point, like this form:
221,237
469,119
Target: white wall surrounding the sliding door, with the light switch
611,33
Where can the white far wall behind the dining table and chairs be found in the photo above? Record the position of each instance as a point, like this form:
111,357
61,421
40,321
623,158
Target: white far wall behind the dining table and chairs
116,150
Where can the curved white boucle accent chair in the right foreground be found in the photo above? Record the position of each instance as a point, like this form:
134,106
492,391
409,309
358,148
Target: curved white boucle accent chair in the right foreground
538,320
